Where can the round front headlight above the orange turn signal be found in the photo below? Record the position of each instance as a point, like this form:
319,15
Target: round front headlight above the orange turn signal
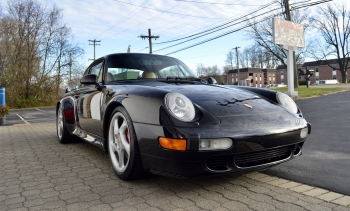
180,106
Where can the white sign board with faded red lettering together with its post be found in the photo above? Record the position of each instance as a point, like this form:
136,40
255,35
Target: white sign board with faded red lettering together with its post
291,36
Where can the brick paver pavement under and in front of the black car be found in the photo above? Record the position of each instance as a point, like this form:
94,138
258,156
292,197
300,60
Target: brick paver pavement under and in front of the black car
38,173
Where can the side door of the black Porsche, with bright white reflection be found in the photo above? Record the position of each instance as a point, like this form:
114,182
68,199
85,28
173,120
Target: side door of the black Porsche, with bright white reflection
89,102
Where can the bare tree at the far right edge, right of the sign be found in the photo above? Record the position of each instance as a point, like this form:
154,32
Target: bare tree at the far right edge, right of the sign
333,22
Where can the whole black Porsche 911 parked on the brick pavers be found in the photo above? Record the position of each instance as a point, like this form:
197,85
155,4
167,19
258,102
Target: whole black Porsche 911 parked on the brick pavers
152,114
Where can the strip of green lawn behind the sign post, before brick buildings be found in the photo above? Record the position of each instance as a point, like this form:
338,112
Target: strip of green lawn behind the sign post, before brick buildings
304,92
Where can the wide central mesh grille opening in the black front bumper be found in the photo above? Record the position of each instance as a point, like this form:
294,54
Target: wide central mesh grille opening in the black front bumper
263,157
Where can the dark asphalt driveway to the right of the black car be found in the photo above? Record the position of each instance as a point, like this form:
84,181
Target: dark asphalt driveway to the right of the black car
326,153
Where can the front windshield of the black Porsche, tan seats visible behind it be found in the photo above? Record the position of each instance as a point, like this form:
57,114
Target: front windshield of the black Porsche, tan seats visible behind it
145,66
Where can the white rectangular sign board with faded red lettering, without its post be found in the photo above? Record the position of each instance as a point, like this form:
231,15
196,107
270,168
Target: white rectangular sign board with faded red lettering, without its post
288,33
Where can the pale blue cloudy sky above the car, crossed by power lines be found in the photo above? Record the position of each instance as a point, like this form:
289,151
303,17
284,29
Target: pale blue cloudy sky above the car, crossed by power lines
119,23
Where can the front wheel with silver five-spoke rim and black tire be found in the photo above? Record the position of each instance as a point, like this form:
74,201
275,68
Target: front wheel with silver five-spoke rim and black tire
123,146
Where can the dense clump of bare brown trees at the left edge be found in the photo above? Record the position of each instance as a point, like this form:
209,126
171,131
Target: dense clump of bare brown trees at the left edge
35,47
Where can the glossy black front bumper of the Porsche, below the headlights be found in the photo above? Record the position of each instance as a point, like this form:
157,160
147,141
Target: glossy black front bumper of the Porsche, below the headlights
247,154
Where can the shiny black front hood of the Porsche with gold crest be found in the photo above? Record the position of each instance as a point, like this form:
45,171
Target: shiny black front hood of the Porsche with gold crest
240,112
